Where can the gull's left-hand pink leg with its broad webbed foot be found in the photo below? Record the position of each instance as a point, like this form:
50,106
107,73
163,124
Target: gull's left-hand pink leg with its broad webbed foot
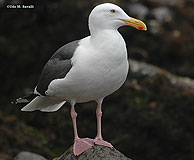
80,144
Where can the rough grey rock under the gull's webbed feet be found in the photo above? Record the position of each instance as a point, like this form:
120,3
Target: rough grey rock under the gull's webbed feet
96,153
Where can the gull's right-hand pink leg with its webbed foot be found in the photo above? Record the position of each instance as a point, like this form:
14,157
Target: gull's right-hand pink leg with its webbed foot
99,140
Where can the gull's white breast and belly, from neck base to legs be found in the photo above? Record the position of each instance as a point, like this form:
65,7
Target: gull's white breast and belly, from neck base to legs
99,69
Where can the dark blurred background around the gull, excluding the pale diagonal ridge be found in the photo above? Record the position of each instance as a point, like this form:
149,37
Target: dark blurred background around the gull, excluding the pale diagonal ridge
152,123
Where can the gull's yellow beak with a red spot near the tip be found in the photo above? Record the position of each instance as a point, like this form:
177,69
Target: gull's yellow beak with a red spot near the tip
135,23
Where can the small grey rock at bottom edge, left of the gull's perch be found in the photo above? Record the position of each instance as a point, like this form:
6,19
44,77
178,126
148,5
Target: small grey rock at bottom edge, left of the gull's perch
29,156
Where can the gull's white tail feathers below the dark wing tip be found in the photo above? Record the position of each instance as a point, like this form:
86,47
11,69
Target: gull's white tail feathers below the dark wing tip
45,104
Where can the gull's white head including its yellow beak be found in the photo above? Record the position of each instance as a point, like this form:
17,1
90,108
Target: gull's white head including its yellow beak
111,16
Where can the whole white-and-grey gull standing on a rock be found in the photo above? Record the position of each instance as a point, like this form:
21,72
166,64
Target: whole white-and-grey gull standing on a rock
86,70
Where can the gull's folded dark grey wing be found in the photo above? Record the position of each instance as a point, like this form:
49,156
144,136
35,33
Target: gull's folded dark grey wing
57,66
